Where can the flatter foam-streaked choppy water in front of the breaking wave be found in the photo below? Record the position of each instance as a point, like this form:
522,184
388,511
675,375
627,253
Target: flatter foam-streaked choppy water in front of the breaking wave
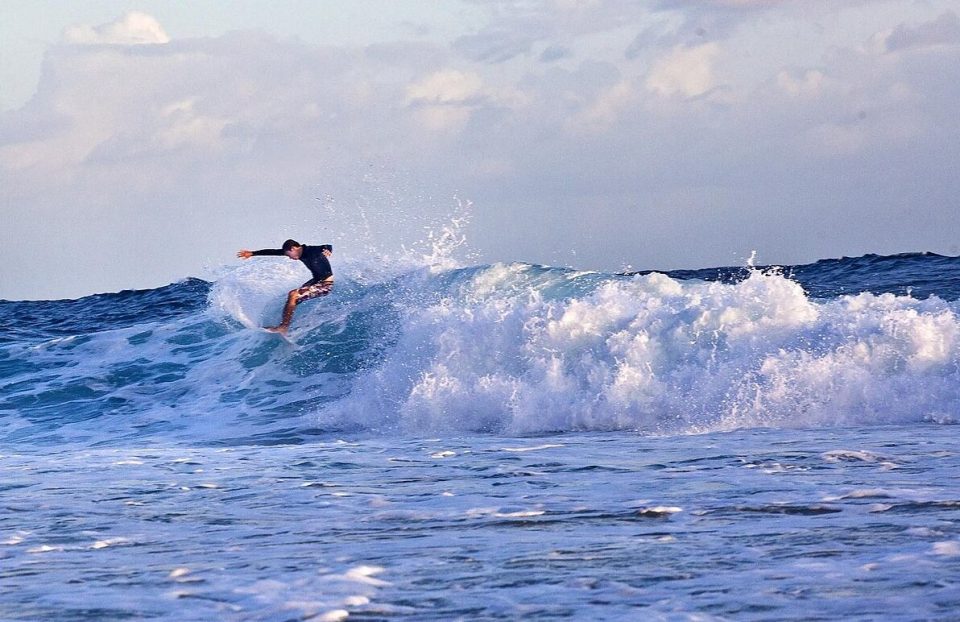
860,524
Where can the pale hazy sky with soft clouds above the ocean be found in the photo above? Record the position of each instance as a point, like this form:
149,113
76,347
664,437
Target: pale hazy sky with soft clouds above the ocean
145,142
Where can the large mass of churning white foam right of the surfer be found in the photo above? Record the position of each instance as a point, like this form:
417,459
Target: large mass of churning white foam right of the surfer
509,352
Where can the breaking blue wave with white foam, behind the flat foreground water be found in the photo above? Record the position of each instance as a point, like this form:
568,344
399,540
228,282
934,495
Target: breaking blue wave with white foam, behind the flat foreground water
502,349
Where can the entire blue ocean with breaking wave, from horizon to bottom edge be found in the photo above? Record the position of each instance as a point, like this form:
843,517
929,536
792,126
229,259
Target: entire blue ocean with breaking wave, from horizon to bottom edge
491,442
